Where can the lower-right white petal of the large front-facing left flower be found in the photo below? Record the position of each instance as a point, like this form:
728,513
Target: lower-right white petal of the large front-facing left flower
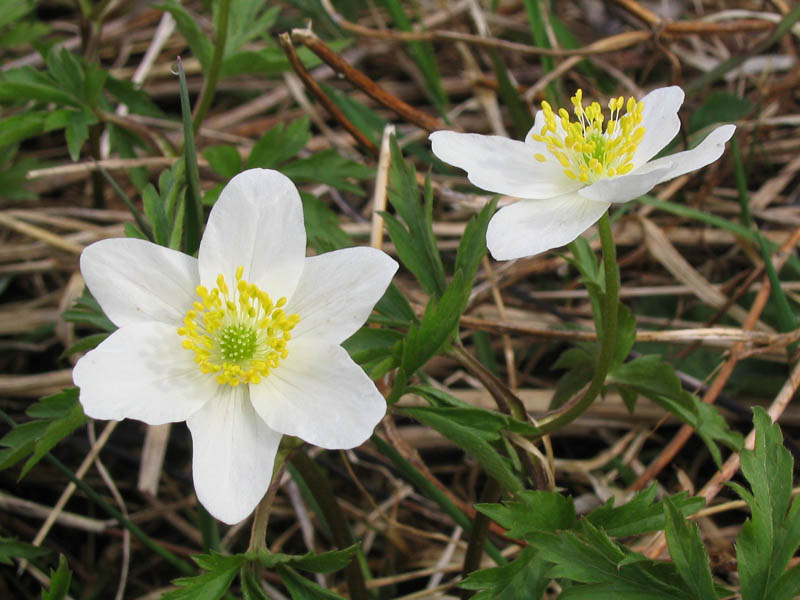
320,395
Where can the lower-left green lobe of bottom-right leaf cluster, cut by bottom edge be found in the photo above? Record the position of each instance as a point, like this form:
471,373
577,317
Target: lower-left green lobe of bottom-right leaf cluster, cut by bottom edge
524,579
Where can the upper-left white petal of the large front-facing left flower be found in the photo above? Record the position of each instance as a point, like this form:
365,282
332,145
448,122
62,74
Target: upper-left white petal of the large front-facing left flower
136,281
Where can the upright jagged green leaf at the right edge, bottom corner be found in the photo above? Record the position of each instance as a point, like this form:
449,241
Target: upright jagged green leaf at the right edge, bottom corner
770,537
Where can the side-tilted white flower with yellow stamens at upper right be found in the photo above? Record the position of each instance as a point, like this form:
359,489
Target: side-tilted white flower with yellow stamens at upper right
568,173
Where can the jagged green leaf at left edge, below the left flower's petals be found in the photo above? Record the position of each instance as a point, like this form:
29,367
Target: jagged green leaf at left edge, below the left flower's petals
54,418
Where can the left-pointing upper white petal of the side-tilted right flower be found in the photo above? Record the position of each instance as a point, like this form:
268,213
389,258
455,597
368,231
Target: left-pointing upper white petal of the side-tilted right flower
501,165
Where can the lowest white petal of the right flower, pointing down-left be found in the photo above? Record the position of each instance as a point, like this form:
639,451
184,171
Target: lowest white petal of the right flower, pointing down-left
529,227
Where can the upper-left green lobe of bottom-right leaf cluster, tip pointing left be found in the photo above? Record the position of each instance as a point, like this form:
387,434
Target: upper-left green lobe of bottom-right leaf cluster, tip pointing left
532,511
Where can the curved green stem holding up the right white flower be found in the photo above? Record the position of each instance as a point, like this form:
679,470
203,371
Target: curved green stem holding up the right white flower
608,335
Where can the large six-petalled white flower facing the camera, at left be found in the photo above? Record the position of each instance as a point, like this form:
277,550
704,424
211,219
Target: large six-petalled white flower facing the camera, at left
242,343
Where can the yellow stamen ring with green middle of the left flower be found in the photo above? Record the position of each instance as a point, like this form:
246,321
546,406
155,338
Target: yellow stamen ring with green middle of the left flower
237,335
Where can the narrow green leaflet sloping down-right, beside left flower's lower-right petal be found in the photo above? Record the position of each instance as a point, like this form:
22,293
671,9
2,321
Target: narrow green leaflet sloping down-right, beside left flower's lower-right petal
471,442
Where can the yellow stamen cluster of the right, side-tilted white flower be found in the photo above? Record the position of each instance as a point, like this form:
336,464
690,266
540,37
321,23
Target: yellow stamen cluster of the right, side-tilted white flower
584,149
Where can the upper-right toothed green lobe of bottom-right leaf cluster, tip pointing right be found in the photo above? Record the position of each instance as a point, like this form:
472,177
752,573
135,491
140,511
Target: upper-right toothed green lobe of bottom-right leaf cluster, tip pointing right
641,514
